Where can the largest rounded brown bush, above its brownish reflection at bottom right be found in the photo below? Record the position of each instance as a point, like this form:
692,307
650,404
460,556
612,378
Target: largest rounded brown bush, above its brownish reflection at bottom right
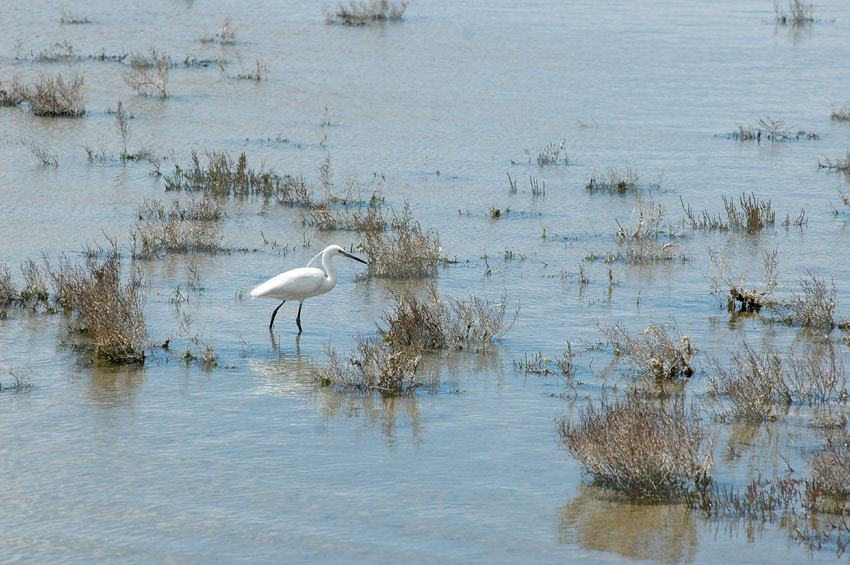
648,450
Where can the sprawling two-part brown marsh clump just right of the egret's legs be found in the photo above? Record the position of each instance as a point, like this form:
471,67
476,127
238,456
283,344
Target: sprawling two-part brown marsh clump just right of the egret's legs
390,362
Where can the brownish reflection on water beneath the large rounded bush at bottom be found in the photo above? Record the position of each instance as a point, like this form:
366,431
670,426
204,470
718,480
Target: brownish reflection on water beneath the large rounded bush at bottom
664,533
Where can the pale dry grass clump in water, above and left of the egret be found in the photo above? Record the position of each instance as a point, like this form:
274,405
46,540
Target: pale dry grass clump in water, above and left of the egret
191,227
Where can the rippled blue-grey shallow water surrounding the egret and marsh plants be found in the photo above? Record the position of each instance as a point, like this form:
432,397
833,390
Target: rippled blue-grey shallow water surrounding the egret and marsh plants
251,461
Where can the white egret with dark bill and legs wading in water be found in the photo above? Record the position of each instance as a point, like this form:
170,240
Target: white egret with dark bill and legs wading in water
303,283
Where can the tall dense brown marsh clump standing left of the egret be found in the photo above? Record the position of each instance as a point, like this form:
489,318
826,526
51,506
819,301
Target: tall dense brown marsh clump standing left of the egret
105,310
